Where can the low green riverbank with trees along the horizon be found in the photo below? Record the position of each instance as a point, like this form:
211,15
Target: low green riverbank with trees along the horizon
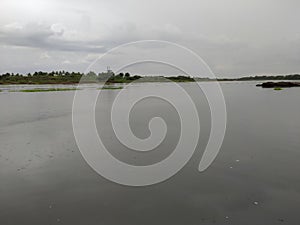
74,78
